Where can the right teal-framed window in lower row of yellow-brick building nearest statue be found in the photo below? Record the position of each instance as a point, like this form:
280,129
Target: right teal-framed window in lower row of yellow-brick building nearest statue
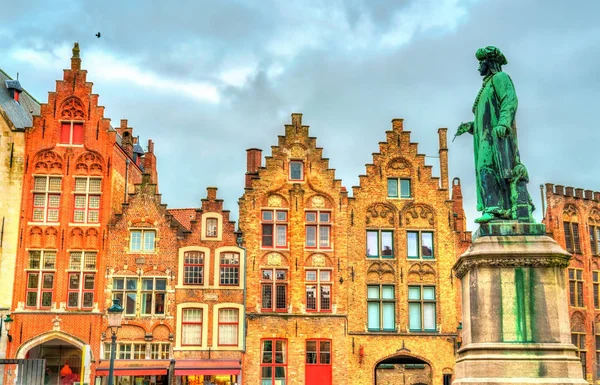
421,308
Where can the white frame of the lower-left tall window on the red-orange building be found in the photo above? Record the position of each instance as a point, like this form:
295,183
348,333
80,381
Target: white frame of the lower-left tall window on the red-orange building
44,269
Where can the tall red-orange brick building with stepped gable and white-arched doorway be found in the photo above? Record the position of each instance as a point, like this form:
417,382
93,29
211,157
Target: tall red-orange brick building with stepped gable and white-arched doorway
77,170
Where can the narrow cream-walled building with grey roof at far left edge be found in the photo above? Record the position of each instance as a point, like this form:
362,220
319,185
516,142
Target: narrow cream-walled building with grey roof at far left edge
17,108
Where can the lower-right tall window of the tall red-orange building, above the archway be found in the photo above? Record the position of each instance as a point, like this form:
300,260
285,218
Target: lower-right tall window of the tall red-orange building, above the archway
82,266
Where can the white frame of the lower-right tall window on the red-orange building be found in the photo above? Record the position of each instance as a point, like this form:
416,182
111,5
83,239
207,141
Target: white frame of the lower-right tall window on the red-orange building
82,271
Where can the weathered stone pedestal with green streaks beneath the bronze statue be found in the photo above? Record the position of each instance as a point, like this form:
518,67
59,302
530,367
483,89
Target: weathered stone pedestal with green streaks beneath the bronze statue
515,315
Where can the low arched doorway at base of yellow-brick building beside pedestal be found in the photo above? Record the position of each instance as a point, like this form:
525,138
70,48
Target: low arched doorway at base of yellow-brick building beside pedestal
403,370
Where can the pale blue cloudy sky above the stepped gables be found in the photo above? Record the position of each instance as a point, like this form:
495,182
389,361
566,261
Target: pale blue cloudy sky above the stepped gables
208,79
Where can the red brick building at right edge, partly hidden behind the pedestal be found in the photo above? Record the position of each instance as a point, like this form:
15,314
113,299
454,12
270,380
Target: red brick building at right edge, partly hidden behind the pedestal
572,218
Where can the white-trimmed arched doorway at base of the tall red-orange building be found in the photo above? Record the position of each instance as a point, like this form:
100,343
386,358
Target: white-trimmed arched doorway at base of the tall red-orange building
63,355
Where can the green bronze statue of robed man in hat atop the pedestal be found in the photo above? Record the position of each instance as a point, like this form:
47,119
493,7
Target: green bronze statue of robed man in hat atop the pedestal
501,177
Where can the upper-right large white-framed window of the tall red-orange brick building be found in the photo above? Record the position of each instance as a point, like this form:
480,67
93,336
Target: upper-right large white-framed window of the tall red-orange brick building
87,200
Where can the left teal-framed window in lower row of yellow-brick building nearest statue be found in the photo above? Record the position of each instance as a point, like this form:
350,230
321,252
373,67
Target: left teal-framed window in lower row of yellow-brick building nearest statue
381,307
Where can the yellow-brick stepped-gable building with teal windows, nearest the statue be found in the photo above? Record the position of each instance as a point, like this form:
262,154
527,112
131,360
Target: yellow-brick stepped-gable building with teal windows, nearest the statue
404,236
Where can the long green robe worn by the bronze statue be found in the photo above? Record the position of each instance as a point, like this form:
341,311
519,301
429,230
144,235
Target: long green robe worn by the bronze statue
495,158
